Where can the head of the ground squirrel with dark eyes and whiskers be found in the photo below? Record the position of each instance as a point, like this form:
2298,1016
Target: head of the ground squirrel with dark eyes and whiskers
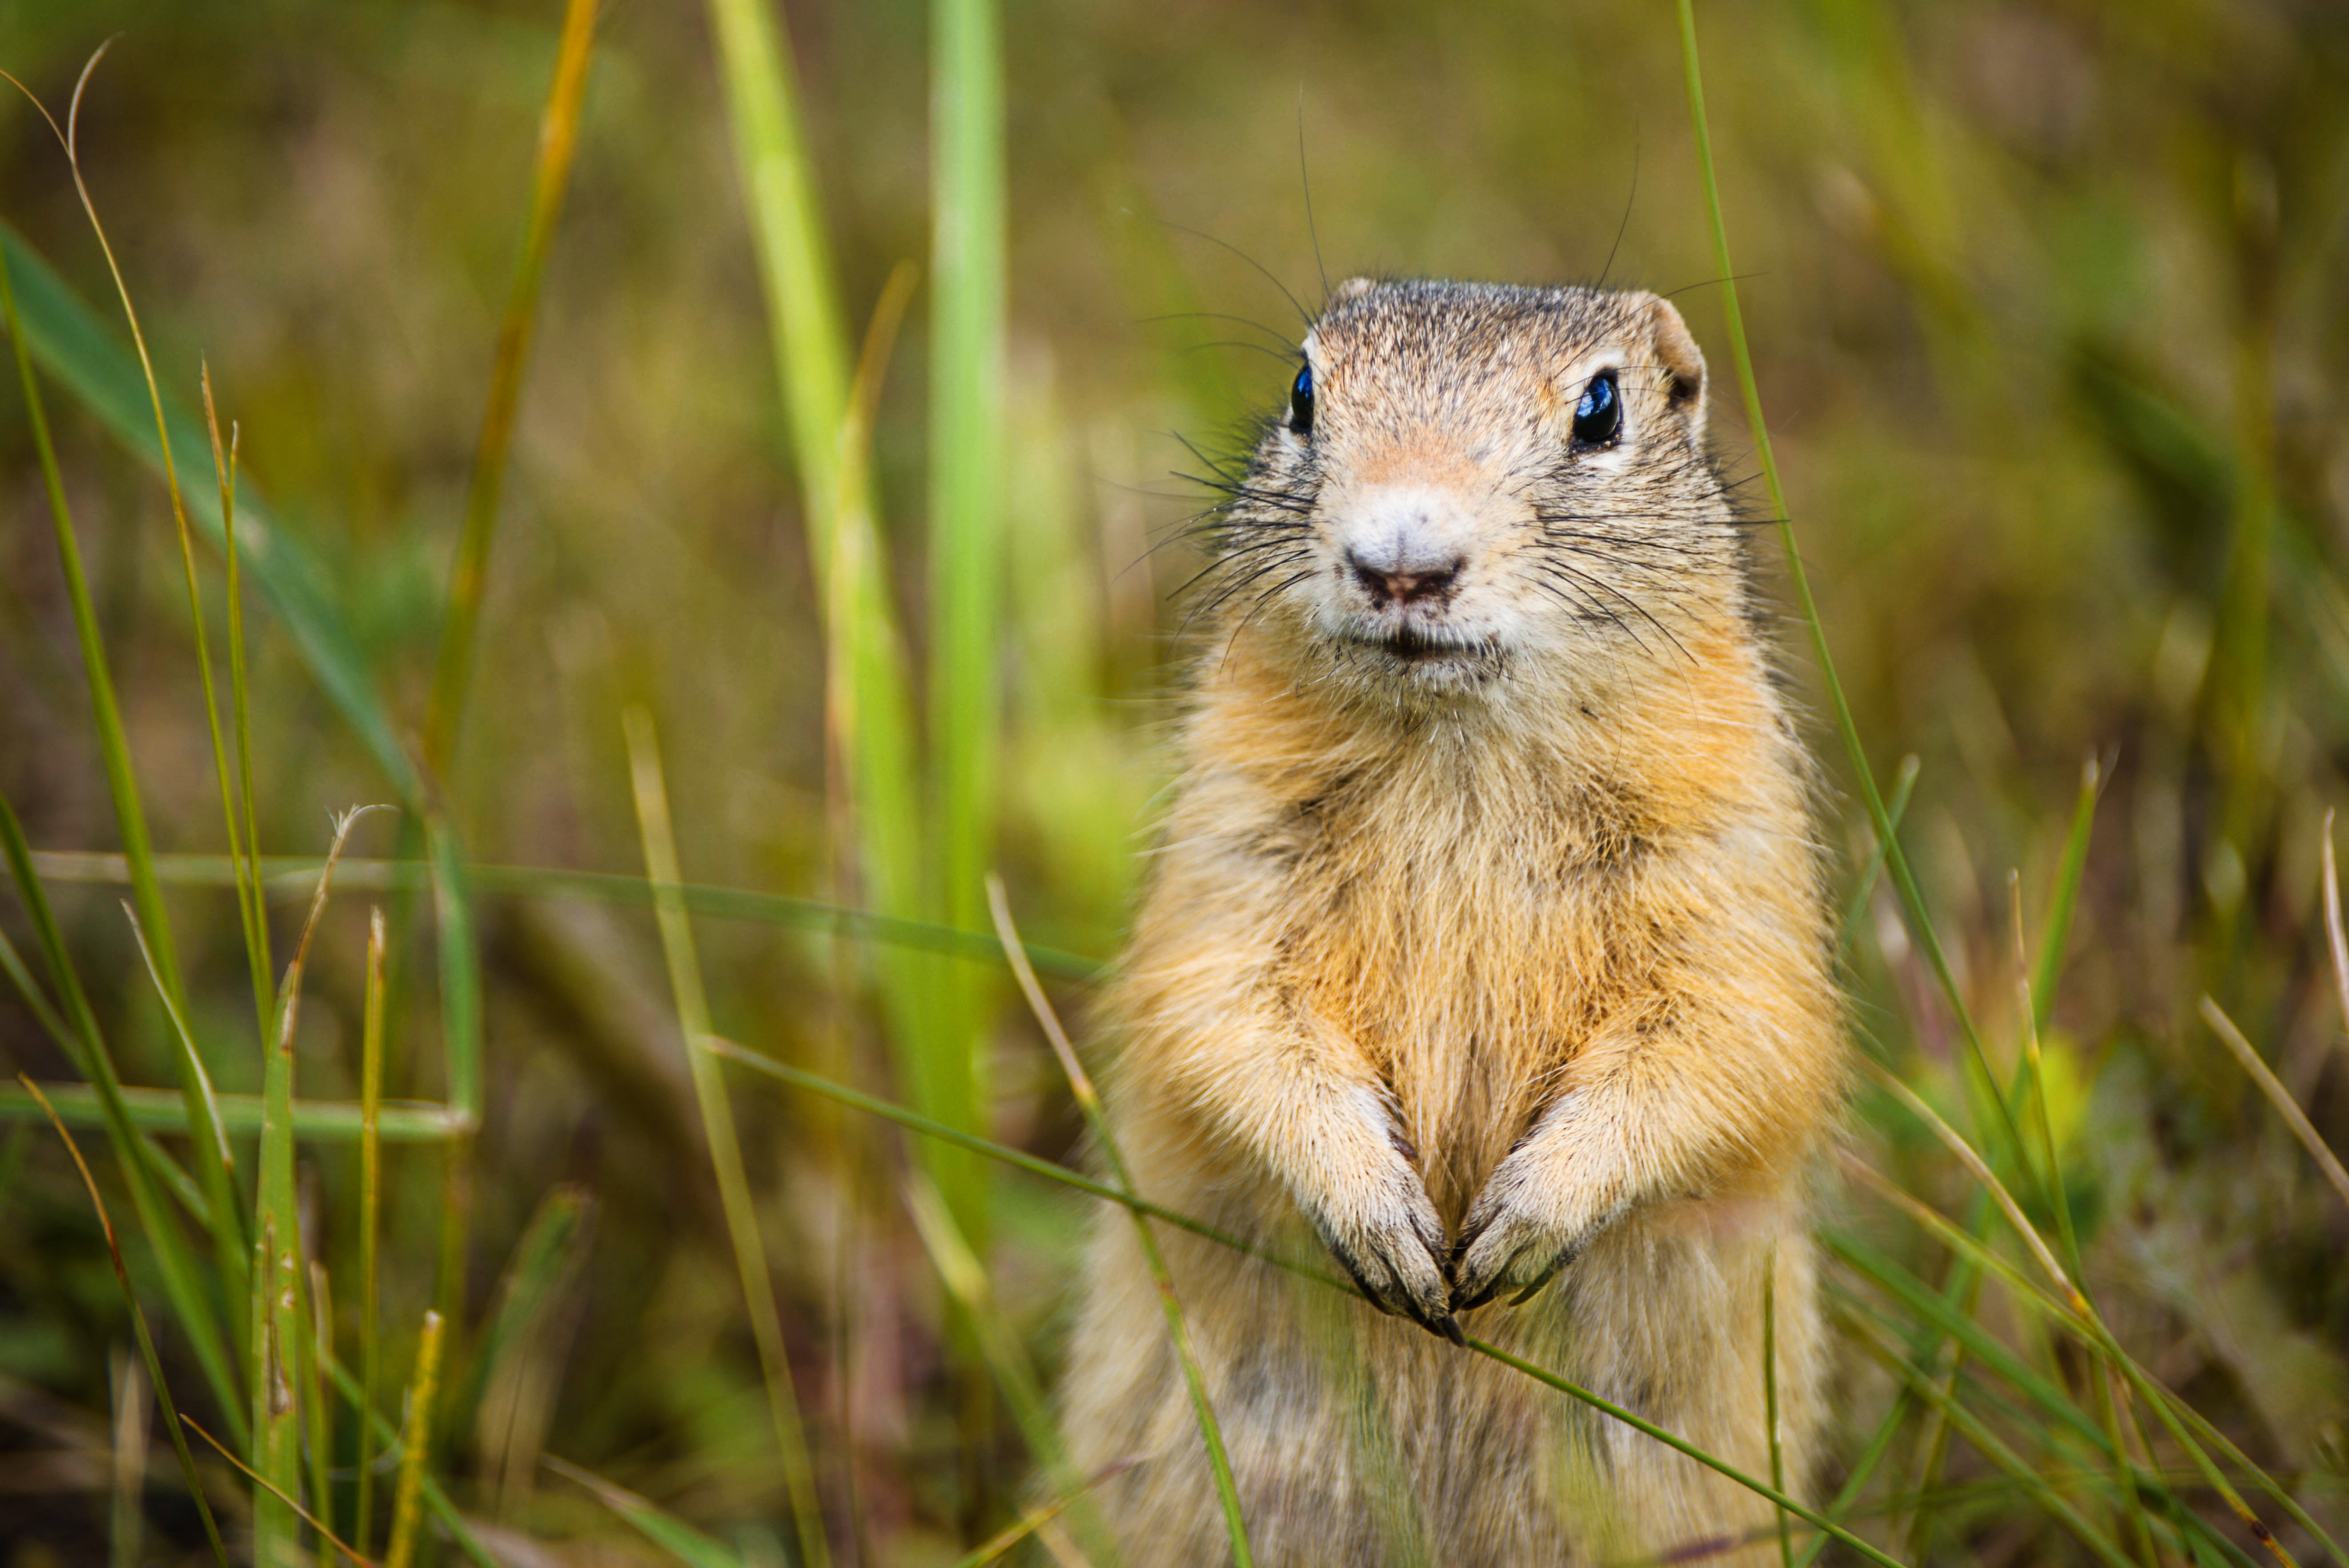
1476,480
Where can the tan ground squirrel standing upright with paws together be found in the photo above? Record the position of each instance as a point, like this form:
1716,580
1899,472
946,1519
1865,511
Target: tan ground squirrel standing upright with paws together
1486,949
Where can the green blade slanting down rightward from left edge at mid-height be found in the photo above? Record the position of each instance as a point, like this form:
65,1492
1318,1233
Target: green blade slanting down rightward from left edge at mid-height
137,1156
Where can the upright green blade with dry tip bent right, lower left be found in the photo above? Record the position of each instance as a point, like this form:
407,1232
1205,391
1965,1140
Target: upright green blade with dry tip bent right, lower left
278,1327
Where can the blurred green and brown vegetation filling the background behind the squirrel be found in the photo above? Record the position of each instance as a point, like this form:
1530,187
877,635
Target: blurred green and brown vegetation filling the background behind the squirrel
2050,318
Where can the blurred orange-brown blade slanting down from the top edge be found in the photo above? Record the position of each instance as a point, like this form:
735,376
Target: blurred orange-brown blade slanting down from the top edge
558,142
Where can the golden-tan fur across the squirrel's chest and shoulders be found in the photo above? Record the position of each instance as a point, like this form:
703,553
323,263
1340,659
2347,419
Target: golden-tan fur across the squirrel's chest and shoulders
1474,900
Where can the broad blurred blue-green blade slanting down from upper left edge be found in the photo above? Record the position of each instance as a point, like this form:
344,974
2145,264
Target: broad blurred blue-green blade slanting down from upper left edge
69,339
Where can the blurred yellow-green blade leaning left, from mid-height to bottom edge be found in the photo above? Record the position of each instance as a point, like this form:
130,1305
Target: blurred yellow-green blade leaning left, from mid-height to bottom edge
720,1130
